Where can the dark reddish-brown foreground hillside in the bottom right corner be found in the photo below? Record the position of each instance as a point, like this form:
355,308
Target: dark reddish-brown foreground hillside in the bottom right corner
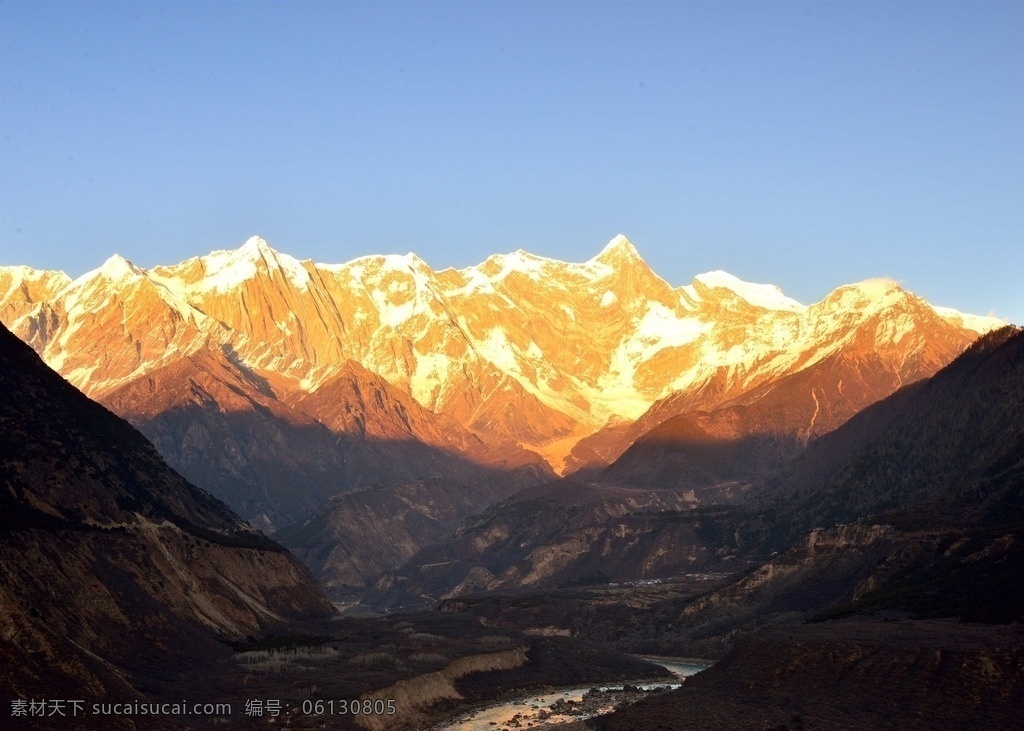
860,674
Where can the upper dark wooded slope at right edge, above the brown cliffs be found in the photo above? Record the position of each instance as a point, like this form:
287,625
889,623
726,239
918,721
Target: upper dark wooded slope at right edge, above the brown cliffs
949,452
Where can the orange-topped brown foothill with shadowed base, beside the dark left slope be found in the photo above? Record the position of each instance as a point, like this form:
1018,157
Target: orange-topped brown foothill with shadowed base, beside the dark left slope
223,427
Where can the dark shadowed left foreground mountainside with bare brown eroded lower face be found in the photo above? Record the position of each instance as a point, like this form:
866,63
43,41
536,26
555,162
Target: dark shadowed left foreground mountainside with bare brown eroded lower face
117,572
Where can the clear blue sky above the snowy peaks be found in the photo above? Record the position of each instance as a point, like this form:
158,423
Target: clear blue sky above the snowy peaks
804,145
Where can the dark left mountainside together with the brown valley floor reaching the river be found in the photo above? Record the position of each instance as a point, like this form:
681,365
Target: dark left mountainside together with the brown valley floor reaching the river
133,600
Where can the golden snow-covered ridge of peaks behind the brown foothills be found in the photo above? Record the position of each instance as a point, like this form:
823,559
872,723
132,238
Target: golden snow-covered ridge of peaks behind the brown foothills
524,347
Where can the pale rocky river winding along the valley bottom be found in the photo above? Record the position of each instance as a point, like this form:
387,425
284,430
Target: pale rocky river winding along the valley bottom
535,712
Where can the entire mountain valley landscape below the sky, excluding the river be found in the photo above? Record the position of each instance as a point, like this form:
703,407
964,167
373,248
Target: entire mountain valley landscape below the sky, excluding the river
294,488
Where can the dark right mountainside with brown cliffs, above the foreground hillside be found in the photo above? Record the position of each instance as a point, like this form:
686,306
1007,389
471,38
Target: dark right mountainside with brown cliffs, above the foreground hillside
928,490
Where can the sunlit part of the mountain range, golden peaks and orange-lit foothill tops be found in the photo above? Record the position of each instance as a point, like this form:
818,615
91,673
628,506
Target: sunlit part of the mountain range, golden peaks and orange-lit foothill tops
519,355
